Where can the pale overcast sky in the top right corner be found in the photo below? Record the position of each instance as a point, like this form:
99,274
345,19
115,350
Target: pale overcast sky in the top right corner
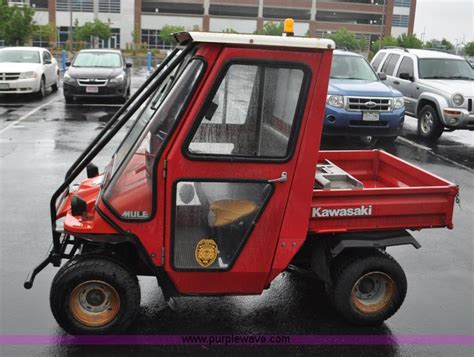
451,19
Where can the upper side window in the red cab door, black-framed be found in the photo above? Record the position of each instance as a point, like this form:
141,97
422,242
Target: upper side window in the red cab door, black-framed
252,114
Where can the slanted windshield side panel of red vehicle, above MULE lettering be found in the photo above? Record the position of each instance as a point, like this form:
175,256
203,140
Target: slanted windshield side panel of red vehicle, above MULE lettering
129,194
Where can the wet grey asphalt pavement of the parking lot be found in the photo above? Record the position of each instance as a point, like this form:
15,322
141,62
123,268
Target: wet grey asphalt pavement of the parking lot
39,139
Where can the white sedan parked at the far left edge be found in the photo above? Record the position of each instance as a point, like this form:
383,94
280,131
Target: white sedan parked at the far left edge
27,70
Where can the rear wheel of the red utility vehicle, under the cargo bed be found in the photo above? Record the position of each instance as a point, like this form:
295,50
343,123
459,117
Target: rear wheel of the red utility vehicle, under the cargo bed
367,290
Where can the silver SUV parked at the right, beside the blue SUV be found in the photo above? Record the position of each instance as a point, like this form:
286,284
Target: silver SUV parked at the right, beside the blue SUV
438,88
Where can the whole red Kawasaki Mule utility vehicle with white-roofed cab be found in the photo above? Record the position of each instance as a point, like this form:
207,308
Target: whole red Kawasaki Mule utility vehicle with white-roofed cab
219,186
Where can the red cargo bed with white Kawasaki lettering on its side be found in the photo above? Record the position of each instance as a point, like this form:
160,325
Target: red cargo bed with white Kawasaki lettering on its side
373,190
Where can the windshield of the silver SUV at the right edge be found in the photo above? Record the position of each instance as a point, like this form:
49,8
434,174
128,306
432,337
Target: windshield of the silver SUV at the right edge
445,68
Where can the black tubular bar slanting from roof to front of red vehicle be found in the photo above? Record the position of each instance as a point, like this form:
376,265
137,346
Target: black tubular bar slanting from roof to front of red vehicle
57,251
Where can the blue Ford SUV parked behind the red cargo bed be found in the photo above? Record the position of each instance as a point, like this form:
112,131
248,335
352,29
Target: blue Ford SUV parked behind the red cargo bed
359,103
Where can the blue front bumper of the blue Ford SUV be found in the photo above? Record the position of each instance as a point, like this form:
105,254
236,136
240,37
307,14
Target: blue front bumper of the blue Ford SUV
339,121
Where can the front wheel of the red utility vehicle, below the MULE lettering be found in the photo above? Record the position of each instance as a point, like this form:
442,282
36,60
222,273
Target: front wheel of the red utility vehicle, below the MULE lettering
94,295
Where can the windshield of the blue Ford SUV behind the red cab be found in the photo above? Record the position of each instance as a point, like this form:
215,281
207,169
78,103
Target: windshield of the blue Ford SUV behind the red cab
352,67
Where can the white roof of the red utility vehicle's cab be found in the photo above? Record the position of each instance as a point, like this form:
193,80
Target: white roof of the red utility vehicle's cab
261,40
